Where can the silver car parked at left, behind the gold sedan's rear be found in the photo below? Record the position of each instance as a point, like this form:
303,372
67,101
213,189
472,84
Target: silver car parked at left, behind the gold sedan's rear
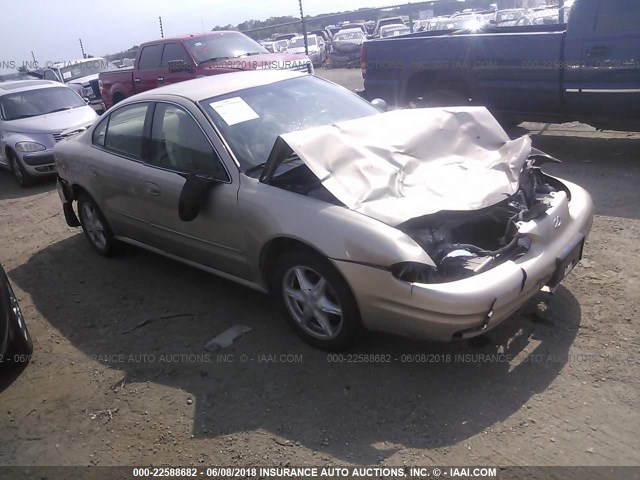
33,115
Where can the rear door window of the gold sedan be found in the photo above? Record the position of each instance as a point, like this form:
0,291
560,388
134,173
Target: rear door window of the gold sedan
126,129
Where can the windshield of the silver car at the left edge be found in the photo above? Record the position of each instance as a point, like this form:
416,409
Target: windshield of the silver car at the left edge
33,103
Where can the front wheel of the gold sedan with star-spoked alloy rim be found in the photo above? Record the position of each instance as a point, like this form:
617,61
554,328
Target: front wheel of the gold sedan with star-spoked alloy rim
316,300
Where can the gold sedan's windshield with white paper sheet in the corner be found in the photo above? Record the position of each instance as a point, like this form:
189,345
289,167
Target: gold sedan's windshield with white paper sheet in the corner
250,120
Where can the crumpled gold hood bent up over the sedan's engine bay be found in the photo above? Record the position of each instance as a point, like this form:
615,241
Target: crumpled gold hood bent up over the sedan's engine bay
406,164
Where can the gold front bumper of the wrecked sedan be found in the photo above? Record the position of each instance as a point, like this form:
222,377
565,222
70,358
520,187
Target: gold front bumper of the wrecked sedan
470,307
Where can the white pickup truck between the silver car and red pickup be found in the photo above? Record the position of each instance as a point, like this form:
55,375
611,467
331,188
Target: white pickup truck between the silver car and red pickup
81,75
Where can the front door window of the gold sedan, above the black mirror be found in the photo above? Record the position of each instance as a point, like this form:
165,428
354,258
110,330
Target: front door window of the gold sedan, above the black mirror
178,143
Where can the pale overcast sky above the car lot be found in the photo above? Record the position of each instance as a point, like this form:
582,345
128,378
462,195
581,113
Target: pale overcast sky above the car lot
51,28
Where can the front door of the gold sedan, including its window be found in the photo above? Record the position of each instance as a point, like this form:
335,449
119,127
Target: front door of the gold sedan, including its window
179,148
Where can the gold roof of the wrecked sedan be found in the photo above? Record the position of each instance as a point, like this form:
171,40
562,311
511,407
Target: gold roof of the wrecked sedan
215,85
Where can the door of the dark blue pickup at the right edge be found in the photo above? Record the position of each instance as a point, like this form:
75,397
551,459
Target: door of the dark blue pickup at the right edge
610,76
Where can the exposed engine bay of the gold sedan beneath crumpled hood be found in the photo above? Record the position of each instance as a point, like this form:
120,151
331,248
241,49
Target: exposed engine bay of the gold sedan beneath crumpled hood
467,243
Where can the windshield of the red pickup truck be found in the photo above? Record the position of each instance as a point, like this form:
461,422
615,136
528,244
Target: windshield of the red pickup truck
219,46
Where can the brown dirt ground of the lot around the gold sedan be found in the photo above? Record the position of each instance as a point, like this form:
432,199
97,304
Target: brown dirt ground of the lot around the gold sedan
94,394
